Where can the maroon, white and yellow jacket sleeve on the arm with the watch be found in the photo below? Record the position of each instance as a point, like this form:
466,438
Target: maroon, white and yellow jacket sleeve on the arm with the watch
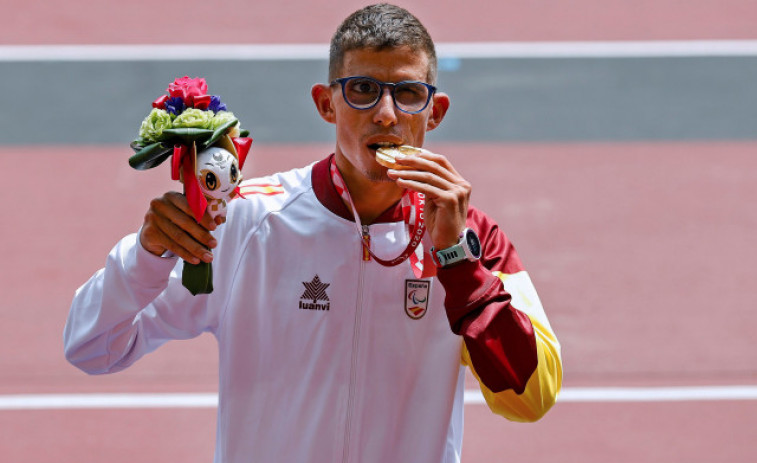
508,342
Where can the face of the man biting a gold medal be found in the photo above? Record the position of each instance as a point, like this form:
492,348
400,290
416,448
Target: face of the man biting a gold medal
359,132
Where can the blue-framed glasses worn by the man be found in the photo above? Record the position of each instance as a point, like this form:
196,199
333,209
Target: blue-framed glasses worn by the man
361,92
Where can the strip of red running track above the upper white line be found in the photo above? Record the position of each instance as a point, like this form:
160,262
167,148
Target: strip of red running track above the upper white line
240,21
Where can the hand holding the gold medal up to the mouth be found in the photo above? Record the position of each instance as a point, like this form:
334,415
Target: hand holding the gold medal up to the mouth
447,194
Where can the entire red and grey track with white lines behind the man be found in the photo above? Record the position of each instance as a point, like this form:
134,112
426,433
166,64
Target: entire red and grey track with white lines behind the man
613,141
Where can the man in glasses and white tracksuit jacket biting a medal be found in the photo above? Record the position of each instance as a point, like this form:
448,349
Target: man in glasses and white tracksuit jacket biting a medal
327,351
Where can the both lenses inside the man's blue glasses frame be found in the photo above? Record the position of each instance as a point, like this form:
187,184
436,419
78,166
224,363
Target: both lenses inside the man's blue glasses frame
409,96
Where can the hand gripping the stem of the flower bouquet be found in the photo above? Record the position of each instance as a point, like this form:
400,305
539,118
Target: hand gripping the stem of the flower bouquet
169,225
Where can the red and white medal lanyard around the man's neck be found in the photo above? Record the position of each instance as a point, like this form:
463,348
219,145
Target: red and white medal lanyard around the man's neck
412,204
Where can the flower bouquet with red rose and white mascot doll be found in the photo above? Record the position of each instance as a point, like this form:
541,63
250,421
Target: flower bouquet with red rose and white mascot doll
207,151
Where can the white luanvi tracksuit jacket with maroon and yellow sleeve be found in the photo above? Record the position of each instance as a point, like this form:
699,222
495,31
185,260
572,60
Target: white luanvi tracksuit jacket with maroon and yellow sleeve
320,359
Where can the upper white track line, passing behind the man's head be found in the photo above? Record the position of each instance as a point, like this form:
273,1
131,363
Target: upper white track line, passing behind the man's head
238,52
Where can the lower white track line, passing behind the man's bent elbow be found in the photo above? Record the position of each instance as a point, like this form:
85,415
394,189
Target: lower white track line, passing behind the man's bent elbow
472,397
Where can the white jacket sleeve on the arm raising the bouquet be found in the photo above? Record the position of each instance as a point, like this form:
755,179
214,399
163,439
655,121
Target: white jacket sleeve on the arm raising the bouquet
129,308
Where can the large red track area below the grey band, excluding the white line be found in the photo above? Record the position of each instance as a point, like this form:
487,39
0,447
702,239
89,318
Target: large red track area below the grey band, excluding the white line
642,253
